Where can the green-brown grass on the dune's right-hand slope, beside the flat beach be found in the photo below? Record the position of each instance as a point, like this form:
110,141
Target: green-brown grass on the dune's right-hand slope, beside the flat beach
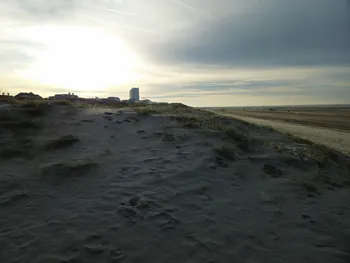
239,133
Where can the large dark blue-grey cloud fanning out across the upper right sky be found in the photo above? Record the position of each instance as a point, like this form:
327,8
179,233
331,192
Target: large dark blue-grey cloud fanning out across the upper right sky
303,33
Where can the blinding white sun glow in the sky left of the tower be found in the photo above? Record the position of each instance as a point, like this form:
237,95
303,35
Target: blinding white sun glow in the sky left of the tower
79,58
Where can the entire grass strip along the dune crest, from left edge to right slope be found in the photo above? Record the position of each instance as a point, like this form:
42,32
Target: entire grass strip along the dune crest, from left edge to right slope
237,131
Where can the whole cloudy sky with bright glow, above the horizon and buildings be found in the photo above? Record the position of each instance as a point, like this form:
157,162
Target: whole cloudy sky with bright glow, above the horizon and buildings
198,52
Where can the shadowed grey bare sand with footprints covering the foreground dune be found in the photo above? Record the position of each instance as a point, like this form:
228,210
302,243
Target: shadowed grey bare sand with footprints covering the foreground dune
146,189
